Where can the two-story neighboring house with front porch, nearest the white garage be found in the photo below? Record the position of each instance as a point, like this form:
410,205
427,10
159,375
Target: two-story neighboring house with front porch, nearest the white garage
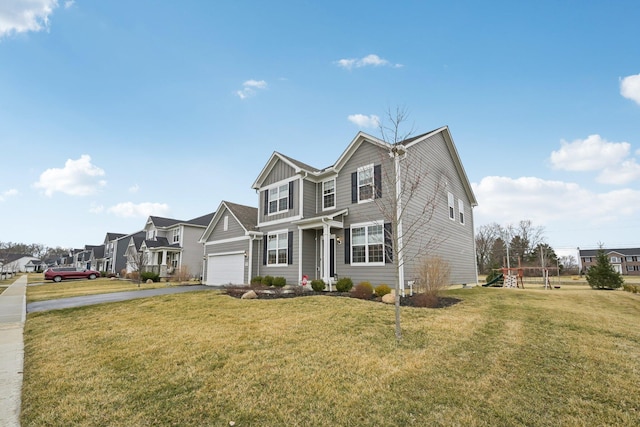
171,245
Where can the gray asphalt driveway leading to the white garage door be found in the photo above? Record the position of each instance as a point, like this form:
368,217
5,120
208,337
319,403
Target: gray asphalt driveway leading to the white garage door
61,303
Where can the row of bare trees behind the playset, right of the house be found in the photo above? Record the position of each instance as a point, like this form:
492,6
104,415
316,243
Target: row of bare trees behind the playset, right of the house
523,245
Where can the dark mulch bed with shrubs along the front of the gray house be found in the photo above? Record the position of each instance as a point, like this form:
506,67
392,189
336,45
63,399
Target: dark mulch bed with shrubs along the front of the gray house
277,293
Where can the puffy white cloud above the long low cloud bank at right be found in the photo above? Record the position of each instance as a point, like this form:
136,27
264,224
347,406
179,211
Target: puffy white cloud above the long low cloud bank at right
593,153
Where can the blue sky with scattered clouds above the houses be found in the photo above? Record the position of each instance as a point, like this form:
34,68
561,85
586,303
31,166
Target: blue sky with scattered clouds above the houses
114,111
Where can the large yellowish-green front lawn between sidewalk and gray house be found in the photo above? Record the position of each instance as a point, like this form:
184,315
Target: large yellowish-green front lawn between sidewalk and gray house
502,357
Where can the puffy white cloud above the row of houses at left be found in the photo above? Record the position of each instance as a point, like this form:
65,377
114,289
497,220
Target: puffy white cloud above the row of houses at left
77,178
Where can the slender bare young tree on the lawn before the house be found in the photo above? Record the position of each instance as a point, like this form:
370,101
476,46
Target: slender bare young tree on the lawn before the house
401,181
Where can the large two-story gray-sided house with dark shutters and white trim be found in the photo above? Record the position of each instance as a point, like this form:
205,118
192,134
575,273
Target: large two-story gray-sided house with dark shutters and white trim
329,223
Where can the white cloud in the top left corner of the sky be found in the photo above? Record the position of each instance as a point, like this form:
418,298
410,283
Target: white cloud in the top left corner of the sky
20,16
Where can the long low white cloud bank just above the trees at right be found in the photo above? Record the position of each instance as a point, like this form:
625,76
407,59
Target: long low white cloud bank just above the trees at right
507,200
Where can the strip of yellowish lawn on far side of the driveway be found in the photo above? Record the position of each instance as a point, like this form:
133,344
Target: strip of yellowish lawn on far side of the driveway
72,288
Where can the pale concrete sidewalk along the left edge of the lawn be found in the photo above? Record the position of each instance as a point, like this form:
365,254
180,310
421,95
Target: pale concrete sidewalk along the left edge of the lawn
12,317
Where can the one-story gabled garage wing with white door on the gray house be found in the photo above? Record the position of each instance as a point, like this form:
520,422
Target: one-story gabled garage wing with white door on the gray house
231,243
